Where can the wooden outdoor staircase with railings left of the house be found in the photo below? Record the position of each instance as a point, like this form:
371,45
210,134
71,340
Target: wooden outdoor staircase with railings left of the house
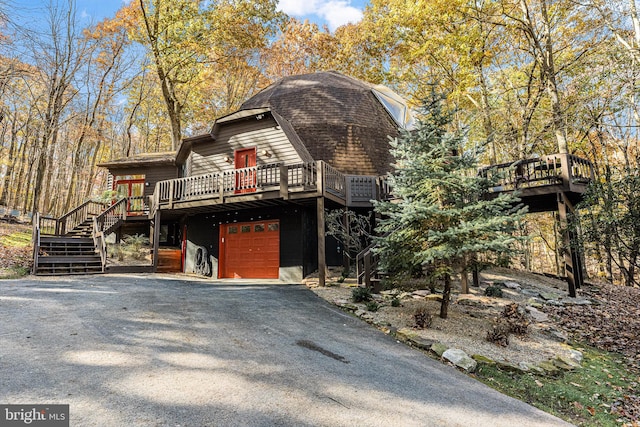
74,243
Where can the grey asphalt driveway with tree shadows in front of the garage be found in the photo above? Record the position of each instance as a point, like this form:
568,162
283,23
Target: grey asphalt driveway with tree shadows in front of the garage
134,350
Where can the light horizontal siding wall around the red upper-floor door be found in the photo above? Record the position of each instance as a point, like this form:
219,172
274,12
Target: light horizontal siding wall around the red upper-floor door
263,134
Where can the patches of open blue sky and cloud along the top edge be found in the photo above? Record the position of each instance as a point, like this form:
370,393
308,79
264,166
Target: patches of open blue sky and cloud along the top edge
333,13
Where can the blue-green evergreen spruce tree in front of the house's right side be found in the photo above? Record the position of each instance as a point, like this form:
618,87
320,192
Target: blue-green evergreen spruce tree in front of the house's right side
440,215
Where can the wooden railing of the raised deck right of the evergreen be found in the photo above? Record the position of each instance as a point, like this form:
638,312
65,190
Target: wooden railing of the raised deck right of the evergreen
554,169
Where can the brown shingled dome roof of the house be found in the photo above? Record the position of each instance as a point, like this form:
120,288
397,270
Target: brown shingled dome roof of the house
337,118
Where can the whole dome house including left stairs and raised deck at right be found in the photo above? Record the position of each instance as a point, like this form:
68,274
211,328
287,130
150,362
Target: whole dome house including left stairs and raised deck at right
248,199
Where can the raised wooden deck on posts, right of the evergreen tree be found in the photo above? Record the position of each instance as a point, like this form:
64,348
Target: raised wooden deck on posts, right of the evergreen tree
539,181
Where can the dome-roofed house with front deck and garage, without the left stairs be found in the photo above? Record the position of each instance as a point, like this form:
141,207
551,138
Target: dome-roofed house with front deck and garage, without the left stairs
247,199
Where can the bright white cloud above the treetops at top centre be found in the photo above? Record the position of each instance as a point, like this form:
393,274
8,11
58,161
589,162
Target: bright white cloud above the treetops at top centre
334,12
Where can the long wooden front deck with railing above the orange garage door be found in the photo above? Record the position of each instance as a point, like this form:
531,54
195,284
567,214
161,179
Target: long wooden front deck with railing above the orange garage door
266,184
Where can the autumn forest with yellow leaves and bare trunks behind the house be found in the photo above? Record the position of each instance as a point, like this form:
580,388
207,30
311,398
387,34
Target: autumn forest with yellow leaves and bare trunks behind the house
524,77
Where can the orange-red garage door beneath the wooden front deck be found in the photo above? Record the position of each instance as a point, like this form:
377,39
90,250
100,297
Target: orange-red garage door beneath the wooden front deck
250,250
